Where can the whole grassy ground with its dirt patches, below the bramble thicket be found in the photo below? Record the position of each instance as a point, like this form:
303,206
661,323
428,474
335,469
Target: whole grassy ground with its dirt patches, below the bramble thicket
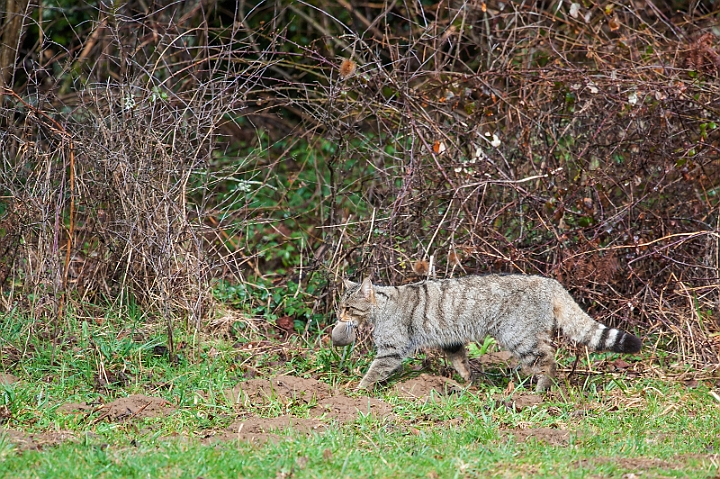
282,408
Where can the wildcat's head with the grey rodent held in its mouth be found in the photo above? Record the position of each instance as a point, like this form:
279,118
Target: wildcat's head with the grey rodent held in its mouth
354,309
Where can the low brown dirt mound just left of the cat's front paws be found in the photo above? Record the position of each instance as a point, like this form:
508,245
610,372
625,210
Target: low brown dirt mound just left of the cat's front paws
284,388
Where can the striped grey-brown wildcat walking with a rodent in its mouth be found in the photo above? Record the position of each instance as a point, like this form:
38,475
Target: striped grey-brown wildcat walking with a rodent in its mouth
520,311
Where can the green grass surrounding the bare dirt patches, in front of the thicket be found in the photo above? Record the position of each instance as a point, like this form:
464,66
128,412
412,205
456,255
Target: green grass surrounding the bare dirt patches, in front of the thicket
616,425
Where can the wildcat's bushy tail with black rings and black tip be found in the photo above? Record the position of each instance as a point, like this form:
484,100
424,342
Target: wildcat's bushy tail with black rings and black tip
581,328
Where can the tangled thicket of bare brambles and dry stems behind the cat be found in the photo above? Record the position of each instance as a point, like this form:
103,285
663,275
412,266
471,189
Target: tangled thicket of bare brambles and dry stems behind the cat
168,157
